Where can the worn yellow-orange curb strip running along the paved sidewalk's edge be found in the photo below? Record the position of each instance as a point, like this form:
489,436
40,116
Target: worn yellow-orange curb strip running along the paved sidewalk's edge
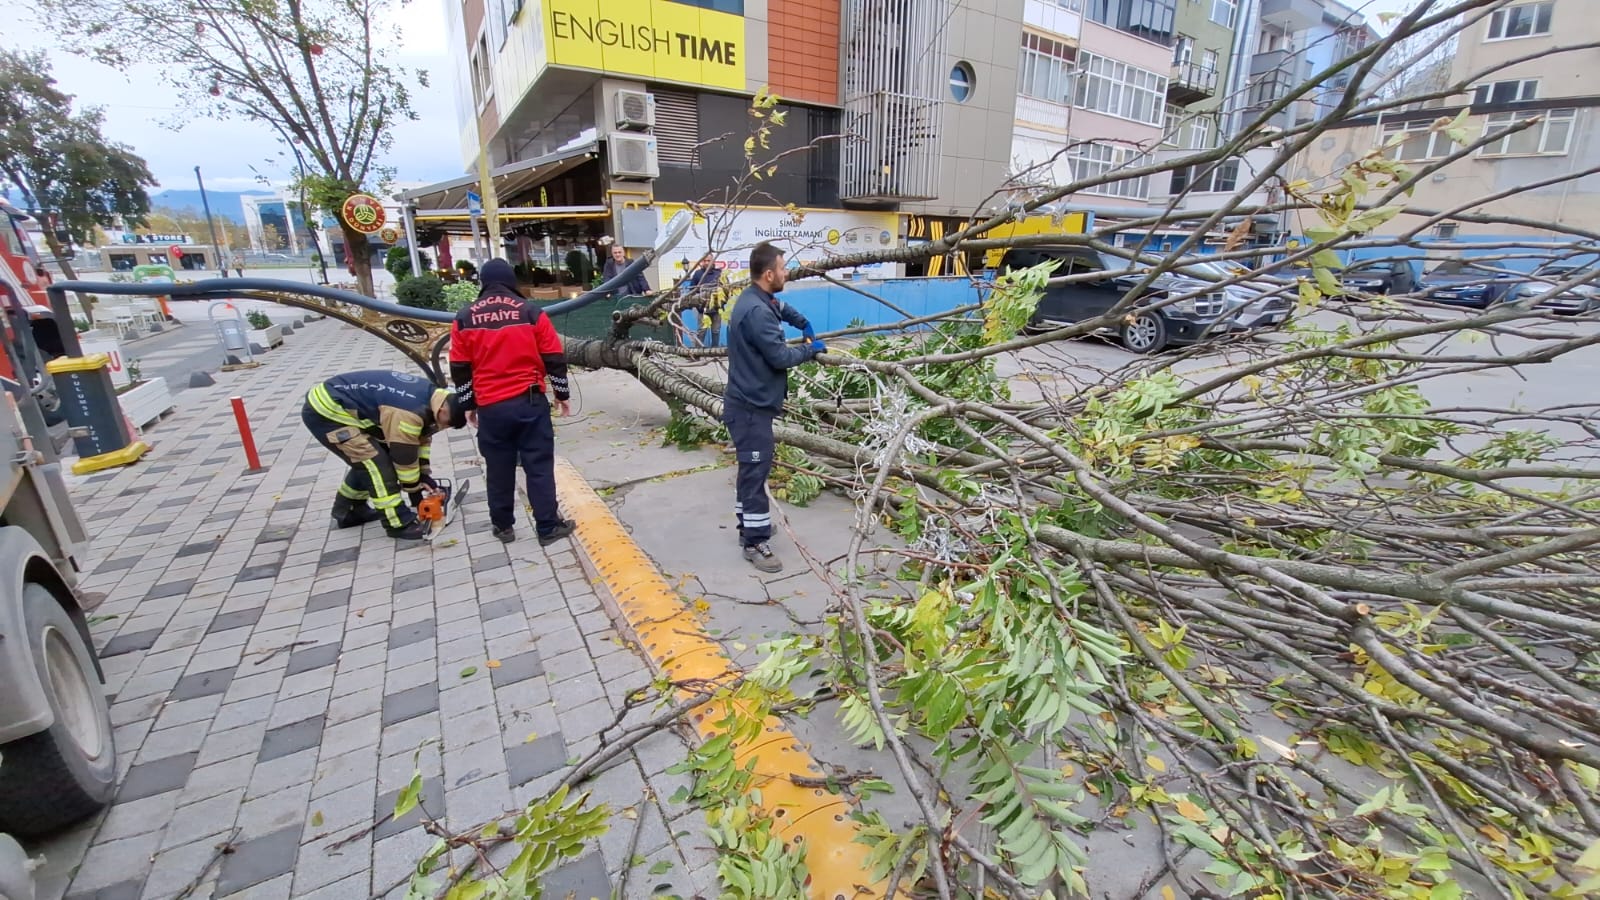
678,646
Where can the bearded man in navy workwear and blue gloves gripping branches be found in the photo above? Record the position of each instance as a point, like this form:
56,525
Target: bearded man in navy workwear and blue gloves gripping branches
759,363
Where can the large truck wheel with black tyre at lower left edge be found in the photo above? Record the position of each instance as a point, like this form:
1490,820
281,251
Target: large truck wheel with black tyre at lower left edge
68,771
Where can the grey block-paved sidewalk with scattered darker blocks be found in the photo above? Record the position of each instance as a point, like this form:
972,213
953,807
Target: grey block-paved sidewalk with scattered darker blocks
274,677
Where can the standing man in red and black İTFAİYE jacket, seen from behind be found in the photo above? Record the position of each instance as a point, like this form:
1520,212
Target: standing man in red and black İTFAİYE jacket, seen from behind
503,353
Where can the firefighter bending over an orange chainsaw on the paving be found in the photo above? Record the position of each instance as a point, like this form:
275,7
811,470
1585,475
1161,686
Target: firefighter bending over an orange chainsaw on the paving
382,425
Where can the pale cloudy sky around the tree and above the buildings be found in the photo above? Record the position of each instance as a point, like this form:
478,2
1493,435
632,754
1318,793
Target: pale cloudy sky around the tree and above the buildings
234,156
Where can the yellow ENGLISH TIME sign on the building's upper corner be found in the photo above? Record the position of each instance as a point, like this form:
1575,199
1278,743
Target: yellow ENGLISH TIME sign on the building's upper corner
652,39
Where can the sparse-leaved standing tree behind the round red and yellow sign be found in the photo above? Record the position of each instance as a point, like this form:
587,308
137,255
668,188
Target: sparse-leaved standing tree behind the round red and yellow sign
318,73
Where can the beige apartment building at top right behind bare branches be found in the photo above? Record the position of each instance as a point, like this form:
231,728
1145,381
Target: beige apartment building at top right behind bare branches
1527,81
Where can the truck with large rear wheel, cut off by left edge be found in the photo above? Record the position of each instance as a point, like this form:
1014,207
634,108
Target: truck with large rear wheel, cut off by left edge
58,761
